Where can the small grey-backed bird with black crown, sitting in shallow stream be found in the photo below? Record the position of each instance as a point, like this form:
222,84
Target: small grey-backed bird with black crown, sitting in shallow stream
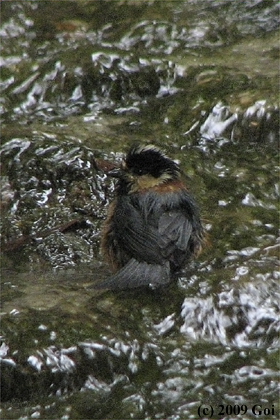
153,226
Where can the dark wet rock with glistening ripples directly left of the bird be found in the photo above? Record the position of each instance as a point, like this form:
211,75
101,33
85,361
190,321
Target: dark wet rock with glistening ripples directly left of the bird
56,189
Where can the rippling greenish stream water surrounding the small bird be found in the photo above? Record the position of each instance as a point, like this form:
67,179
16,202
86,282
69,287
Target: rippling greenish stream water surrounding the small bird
81,81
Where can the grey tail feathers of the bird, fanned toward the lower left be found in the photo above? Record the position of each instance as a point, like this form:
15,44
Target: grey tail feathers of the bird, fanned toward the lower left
136,274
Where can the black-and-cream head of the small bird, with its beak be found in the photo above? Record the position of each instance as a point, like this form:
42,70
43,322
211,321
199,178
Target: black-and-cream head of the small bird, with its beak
145,167
